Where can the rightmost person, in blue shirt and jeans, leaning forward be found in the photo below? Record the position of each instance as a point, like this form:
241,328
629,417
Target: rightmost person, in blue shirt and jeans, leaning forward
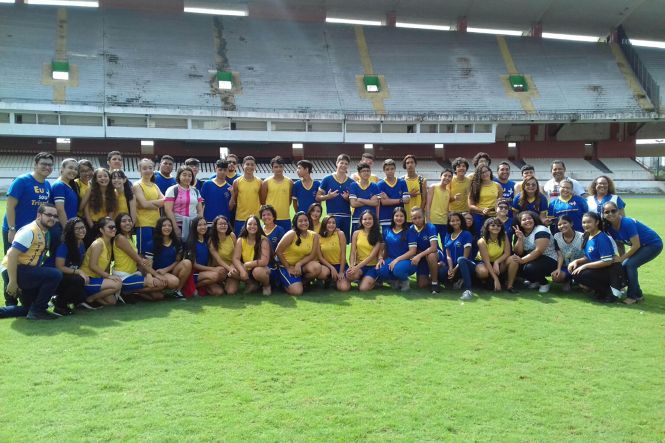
645,245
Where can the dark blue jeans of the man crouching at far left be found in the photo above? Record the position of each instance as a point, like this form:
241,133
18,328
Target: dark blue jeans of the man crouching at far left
37,284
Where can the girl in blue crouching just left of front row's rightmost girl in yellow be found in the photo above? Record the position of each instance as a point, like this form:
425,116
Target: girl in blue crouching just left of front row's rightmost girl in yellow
460,262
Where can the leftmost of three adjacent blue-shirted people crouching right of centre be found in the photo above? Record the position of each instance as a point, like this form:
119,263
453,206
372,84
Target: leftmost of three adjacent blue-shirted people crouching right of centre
395,263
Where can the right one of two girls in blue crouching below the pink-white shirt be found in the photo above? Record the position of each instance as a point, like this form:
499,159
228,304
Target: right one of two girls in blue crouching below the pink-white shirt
206,277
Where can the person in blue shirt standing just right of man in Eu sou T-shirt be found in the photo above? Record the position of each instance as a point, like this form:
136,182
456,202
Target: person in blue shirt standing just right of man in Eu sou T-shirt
64,196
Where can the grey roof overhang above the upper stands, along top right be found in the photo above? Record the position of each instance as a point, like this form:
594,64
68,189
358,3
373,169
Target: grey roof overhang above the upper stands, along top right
642,19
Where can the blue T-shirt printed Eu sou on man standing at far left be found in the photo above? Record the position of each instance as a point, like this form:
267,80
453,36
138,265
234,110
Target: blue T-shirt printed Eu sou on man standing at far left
30,195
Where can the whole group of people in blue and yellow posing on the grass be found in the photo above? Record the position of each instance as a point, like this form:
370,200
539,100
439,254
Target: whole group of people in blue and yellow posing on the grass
92,238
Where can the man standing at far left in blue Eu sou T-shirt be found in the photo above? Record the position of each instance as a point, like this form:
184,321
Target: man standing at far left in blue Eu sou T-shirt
25,195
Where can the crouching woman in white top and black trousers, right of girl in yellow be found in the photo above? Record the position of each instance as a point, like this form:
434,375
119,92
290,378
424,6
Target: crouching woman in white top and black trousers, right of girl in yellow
534,255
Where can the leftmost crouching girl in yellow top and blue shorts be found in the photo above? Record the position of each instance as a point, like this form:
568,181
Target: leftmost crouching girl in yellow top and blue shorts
101,286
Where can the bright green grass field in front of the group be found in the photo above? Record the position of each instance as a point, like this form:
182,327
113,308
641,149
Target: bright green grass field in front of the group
328,366
